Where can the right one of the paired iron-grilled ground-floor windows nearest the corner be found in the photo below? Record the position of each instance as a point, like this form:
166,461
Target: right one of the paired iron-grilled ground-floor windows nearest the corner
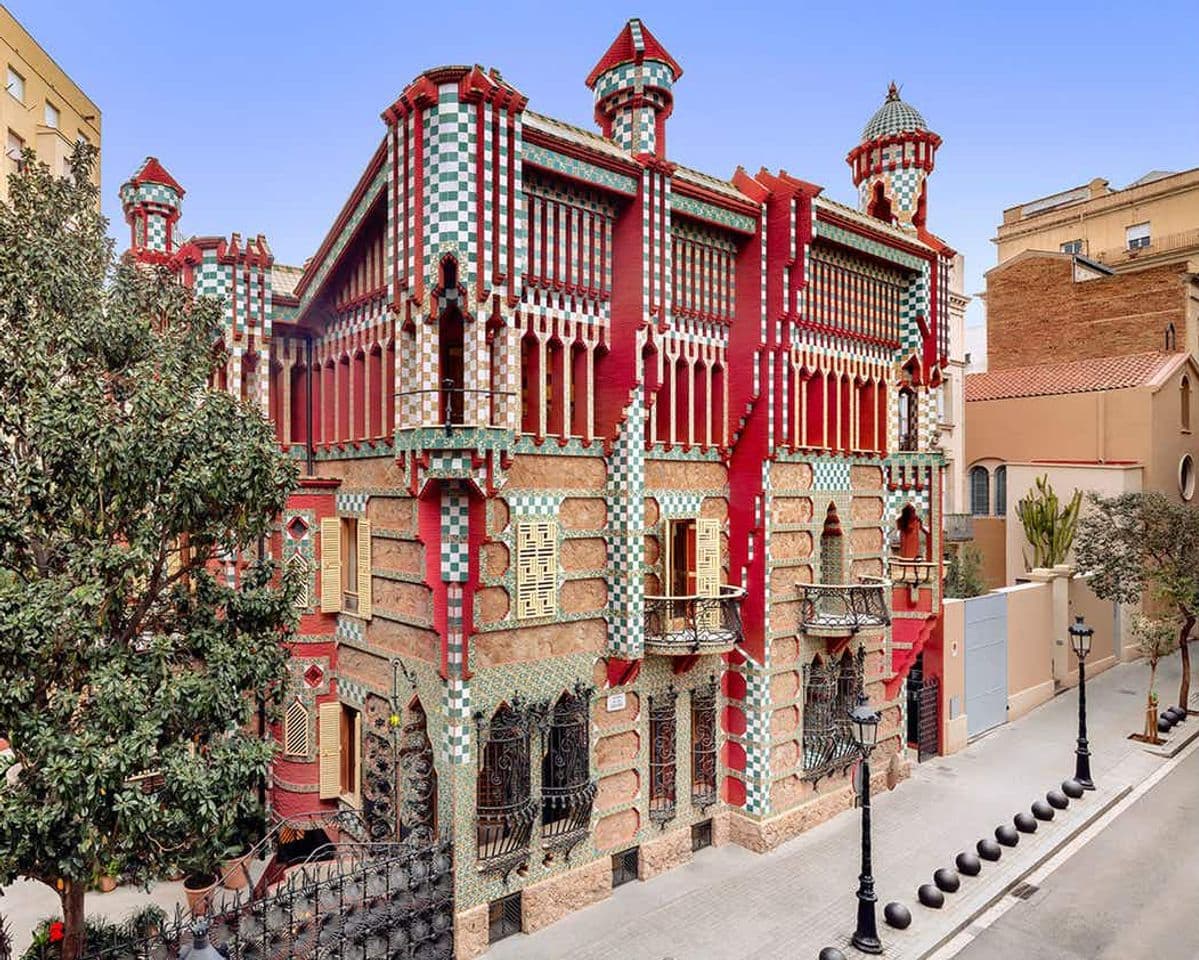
568,790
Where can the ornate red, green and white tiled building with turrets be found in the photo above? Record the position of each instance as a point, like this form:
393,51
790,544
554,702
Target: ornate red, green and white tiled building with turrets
619,480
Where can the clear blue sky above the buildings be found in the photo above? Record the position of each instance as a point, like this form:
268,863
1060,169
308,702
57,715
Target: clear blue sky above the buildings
267,112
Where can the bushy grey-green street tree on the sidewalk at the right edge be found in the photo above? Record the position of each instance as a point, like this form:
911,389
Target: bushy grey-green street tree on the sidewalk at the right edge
1146,544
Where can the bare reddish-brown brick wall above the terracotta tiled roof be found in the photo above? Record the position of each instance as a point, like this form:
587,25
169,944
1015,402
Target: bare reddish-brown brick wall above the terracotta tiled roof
1037,313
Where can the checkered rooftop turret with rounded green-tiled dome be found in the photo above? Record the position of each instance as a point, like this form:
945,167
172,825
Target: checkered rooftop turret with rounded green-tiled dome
893,164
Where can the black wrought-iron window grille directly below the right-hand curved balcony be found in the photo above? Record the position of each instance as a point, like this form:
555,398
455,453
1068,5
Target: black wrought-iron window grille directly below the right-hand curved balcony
830,691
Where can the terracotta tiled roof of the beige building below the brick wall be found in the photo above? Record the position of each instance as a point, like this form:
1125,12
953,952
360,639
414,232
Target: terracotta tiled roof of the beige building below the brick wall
1074,377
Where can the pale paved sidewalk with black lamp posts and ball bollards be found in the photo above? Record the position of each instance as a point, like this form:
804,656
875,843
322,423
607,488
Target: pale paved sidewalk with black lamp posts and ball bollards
730,904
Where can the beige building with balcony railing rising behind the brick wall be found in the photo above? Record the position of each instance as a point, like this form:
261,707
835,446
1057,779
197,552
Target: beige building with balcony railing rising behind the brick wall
1153,221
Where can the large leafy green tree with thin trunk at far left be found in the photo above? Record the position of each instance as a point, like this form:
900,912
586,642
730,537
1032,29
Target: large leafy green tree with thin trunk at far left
123,476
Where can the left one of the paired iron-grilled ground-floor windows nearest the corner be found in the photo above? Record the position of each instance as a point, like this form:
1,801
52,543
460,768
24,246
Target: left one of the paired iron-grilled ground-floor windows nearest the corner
504,812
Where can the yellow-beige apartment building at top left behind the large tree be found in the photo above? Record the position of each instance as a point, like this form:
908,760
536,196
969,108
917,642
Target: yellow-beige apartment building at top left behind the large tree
41,108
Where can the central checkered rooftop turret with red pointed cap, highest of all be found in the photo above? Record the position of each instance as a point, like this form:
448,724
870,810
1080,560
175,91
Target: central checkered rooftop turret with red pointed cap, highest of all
634,84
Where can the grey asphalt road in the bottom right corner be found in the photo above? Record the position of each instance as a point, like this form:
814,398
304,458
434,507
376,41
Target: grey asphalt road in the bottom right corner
1132,893
